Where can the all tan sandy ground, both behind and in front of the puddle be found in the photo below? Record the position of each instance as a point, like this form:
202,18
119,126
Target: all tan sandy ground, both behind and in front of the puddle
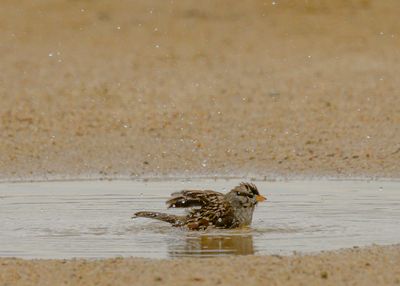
129,88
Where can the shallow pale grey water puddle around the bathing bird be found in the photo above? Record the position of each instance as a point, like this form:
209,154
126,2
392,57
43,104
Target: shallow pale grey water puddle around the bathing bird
92,219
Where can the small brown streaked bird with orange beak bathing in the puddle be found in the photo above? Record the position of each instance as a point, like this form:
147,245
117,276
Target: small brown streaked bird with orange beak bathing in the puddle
210,208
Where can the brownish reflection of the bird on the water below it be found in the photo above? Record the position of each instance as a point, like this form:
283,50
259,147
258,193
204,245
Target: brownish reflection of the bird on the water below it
206,245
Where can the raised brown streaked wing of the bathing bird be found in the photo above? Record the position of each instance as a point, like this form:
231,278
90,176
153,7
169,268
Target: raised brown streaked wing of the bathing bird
194,198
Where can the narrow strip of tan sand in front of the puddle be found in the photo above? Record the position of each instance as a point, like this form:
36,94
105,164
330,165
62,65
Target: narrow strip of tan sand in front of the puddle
371,266
